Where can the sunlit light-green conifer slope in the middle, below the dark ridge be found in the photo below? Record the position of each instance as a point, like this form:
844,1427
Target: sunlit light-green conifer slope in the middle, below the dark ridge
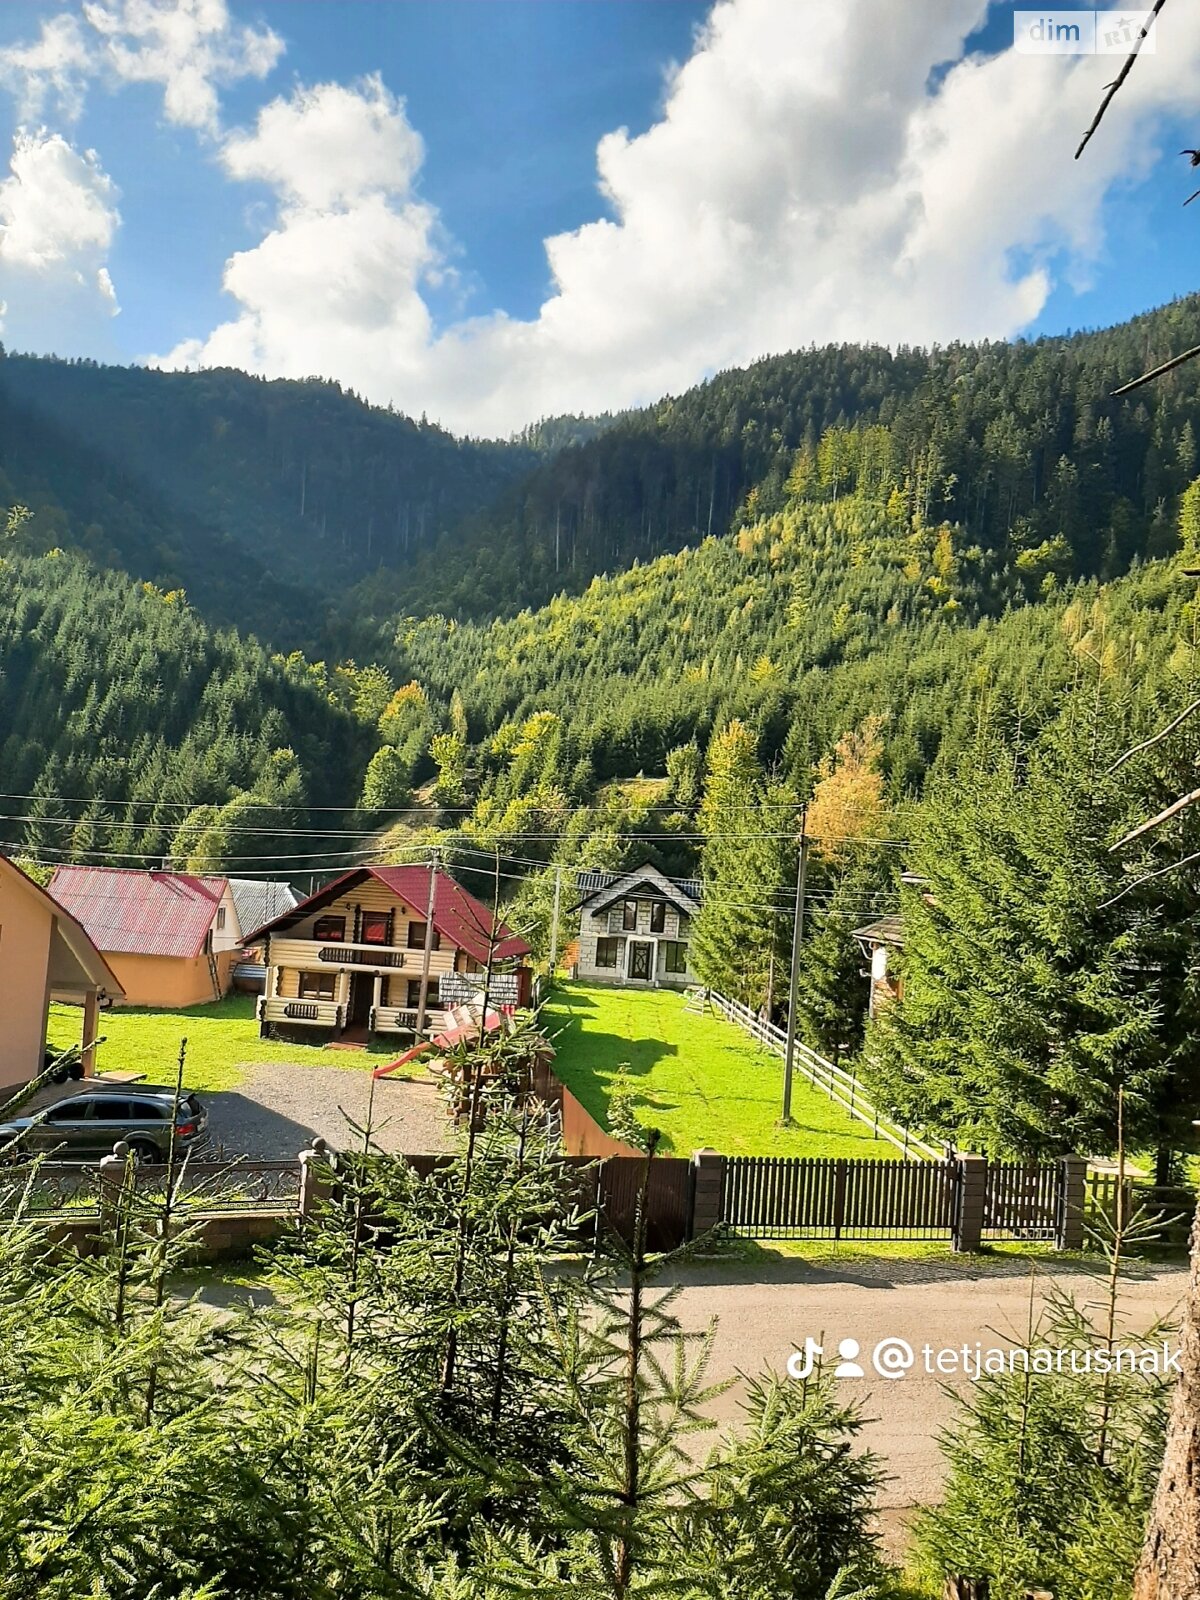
802,625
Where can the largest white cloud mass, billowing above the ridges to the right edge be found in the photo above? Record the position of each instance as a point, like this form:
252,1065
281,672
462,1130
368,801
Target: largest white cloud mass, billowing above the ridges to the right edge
807,180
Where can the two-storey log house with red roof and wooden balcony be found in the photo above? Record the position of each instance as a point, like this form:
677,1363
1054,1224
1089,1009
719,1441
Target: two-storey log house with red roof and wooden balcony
362,958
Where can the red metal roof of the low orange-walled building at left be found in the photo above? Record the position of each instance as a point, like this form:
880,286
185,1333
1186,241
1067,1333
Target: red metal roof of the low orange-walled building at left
130,913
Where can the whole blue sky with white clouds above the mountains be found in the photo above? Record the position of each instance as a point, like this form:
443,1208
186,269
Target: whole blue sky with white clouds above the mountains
719,238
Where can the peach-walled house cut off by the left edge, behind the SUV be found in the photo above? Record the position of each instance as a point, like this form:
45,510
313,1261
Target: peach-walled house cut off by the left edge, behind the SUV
46,954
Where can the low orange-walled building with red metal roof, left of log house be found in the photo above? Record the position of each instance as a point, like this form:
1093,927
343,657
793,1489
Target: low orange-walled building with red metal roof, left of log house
169,937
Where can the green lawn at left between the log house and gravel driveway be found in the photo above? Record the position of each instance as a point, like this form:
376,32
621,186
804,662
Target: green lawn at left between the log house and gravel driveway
222,1041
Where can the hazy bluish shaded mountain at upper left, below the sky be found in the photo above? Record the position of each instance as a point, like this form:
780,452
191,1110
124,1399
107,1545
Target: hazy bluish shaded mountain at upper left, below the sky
260,498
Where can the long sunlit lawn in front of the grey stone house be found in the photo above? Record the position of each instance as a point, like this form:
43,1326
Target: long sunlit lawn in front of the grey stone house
698,1079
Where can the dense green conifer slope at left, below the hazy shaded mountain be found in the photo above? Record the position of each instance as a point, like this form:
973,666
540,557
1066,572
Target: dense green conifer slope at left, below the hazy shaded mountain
126,713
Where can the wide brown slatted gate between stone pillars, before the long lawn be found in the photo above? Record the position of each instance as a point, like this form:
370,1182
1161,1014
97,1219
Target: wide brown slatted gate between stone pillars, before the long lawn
822,1198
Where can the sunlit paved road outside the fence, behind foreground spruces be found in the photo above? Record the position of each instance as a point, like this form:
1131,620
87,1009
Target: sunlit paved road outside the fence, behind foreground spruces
767,1311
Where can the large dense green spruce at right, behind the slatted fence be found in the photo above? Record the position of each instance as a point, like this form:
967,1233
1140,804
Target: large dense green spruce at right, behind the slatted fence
1033,988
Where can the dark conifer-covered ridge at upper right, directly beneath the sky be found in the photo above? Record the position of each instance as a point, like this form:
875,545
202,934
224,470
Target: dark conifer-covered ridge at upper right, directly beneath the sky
1022,446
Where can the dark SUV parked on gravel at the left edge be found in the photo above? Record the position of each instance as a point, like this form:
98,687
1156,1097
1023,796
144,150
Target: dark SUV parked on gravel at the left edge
87,1126
